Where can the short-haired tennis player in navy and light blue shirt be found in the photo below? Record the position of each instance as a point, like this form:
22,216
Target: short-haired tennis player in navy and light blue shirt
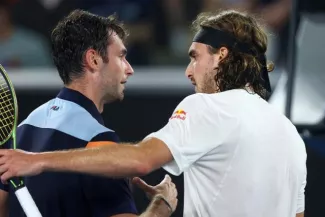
90,56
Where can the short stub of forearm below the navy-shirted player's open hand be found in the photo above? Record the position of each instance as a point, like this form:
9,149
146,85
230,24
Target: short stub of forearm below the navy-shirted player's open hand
157,208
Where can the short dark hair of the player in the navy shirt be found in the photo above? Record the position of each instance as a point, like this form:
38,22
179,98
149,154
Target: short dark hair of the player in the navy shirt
77,33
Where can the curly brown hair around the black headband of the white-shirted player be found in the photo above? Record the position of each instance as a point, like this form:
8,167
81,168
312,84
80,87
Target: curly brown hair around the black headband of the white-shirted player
238,69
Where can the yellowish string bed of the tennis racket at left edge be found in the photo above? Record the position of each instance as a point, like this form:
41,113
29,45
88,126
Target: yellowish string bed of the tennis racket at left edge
7,111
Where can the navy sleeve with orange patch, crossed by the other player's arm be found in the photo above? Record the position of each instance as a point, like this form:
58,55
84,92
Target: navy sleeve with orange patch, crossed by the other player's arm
106,196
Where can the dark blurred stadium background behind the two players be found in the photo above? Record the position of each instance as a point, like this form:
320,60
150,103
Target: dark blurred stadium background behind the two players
158,45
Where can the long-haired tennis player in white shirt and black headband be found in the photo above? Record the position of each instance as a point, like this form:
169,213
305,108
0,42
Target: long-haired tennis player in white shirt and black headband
240,157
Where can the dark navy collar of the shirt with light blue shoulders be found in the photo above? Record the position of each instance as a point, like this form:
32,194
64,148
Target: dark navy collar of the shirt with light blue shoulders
83,101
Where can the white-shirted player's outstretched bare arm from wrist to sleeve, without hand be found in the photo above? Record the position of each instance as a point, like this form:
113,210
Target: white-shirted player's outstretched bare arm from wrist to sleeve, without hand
120,160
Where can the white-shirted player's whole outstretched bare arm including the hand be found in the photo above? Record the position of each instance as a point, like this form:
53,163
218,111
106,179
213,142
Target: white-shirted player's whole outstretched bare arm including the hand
121,160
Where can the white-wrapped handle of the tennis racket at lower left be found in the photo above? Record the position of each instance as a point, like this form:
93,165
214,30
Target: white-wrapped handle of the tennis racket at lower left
27,203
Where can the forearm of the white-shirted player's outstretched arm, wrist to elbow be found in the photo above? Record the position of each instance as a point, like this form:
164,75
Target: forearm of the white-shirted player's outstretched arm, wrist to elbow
112,160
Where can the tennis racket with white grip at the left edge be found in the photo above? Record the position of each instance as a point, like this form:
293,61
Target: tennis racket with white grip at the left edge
8,125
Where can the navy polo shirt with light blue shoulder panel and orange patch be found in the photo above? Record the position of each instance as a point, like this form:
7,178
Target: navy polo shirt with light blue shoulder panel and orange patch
70,121
